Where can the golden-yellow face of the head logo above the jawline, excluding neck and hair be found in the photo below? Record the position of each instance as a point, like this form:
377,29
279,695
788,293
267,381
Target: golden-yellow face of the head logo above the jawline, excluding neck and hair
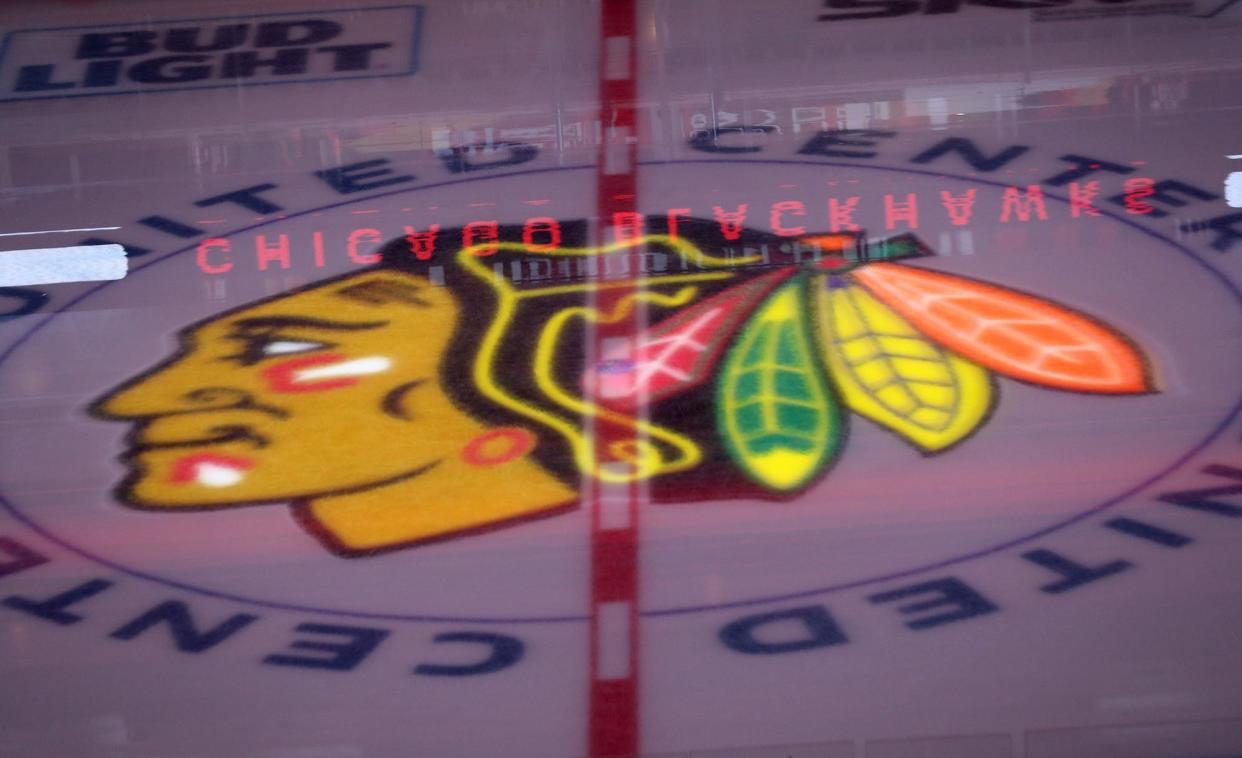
243,414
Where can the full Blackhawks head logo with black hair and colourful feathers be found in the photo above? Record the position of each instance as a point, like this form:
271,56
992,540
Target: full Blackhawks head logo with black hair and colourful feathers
424,400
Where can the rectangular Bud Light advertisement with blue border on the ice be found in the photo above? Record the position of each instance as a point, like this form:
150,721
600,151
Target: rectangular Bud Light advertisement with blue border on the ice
194,54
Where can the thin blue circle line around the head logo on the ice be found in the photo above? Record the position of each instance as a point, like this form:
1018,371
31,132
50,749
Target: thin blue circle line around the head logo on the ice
1235,412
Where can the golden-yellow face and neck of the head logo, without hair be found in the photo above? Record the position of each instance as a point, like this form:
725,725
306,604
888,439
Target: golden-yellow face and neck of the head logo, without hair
330,397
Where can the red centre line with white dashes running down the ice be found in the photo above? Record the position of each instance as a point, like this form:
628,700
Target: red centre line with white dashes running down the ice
613,730
